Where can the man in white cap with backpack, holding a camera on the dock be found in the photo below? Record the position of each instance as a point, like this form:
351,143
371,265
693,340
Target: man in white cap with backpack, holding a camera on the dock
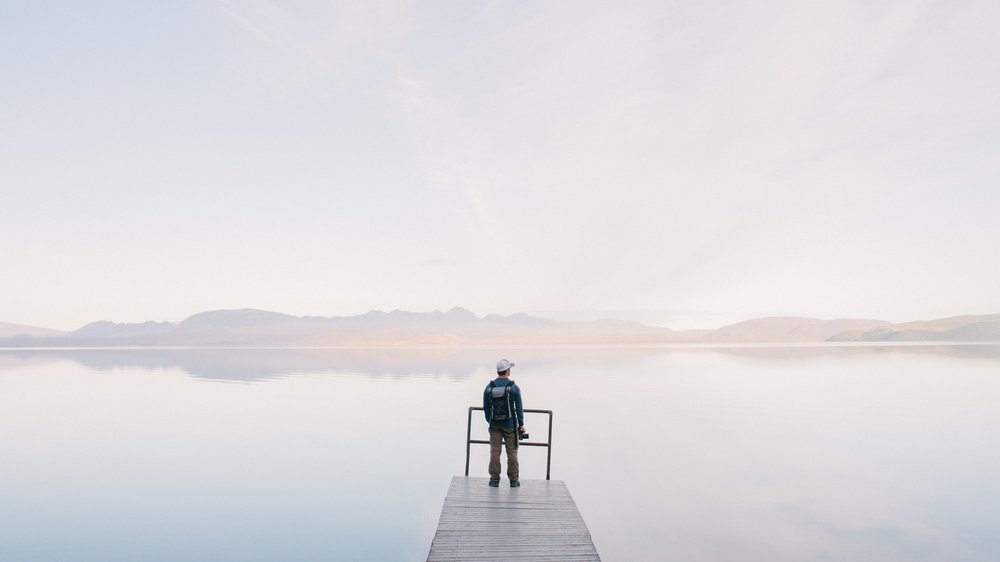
504,413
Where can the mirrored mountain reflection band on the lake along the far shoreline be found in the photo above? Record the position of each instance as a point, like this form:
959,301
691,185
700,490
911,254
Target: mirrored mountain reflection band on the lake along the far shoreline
262,364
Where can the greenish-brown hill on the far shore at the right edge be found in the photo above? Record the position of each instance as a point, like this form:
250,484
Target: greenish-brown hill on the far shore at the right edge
955,328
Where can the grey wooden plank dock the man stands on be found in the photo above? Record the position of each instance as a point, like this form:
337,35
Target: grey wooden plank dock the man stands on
537,521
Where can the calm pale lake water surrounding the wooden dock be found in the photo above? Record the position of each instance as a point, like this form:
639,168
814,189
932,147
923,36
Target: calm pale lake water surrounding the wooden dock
740,453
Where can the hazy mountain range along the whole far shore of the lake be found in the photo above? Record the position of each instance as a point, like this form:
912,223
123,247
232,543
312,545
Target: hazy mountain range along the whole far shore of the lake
458,326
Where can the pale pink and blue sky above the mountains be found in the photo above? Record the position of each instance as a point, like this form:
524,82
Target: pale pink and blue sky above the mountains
665,160
